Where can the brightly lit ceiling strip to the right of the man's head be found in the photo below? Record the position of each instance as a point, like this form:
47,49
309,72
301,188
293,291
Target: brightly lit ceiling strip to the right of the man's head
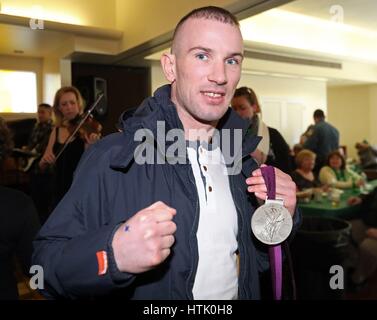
282,28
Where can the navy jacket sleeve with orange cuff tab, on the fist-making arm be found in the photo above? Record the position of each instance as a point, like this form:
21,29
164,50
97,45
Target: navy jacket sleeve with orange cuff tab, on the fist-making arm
74,246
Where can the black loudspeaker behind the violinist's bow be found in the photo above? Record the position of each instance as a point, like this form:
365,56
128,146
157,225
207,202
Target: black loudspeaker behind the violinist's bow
90,88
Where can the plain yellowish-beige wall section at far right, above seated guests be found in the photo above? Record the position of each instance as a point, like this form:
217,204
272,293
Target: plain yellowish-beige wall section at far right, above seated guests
353,110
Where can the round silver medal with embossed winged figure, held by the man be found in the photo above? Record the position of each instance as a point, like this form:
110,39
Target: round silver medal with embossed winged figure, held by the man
271,223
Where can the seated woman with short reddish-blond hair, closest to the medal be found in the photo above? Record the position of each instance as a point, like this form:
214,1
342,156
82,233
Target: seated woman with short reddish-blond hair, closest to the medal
303,176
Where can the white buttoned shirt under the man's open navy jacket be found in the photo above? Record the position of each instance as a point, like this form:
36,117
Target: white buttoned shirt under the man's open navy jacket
216,276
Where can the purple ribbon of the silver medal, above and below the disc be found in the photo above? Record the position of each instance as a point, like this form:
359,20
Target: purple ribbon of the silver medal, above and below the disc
268,174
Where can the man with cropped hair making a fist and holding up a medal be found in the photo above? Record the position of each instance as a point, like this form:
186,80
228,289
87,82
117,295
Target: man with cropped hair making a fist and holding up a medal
178,225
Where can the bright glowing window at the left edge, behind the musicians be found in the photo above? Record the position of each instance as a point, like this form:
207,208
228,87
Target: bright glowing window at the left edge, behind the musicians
18,91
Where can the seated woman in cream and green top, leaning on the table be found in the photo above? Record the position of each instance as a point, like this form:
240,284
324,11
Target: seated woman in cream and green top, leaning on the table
337,175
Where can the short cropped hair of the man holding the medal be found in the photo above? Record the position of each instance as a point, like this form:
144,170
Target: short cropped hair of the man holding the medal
210,13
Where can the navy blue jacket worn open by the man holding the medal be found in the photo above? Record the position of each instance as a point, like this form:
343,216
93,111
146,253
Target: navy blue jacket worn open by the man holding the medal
109,187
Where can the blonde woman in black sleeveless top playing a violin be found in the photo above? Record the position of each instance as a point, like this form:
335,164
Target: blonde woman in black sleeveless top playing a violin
68,106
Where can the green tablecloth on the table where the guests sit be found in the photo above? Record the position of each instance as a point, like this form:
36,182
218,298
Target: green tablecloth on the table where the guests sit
326,208
